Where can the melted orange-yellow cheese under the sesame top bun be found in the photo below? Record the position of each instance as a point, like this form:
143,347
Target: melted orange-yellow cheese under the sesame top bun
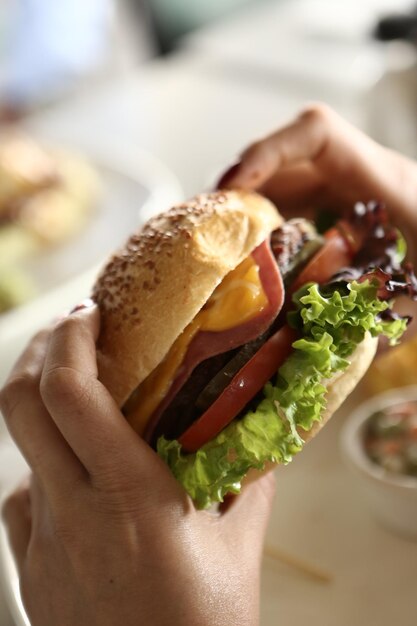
238,298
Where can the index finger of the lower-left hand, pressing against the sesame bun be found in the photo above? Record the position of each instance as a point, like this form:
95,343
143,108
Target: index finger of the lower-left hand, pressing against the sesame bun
81,407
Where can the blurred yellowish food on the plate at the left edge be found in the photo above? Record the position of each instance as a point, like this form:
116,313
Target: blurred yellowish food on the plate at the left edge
46,197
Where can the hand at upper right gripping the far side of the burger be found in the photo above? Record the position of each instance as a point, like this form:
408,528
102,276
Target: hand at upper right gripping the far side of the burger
321,161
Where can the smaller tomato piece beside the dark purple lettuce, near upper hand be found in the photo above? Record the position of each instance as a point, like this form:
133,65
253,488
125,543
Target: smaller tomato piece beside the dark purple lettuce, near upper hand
335,254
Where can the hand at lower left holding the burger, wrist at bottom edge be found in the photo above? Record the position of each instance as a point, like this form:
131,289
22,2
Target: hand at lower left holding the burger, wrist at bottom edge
103,534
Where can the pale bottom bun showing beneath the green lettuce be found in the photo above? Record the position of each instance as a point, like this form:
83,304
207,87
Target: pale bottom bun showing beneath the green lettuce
338,389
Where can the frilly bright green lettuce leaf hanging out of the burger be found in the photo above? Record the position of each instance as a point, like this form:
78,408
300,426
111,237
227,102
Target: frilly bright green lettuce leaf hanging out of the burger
331,322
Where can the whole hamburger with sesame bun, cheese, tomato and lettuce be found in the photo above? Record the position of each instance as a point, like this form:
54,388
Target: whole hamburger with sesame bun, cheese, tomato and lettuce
229,336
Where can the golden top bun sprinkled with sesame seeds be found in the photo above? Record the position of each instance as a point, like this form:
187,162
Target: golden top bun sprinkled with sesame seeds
155,285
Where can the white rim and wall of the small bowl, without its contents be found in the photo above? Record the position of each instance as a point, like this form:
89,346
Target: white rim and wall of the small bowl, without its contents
392,498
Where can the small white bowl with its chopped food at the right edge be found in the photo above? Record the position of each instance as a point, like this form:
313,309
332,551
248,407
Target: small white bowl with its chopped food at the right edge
379,444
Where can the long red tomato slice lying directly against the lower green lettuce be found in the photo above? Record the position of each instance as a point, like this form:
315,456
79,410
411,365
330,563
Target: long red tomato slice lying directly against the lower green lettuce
243,387
